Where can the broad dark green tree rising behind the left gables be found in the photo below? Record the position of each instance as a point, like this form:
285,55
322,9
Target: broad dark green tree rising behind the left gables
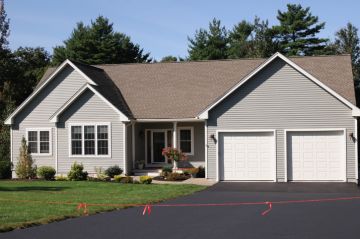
99,44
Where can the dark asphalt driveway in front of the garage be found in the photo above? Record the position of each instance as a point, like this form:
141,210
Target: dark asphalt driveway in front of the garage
335,219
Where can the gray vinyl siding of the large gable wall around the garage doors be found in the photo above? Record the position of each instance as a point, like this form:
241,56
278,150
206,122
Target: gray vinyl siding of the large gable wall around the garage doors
279,98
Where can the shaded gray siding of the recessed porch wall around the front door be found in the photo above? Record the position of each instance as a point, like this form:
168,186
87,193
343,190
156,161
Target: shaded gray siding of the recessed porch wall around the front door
199,141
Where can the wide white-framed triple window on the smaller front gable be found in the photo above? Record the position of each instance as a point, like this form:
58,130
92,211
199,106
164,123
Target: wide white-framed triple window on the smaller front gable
90,139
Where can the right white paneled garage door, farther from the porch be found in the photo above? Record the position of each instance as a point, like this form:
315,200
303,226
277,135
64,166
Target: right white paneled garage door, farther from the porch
316,155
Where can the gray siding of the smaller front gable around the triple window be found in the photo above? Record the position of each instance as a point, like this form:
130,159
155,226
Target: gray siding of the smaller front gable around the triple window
89,108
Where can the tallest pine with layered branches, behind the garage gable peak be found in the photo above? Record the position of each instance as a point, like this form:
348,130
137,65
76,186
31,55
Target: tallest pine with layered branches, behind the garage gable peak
297,31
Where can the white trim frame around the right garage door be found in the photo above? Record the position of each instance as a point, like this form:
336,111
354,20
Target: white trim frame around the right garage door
313,130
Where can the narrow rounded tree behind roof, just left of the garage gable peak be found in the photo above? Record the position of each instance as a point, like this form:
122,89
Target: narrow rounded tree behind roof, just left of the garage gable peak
240,43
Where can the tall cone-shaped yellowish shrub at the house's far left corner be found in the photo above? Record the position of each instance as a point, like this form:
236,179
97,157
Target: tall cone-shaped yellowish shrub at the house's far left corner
25,167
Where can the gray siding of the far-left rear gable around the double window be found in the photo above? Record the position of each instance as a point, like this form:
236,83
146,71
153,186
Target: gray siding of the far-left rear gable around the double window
37,113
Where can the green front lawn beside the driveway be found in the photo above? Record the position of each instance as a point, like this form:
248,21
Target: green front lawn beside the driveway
27,203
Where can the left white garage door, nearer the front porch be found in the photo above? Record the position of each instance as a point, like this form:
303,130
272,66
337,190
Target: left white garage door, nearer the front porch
247,156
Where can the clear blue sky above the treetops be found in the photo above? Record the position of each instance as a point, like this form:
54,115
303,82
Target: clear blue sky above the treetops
161,27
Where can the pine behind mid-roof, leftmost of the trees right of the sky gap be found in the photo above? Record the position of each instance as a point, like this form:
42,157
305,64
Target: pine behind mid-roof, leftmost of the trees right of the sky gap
209,44
